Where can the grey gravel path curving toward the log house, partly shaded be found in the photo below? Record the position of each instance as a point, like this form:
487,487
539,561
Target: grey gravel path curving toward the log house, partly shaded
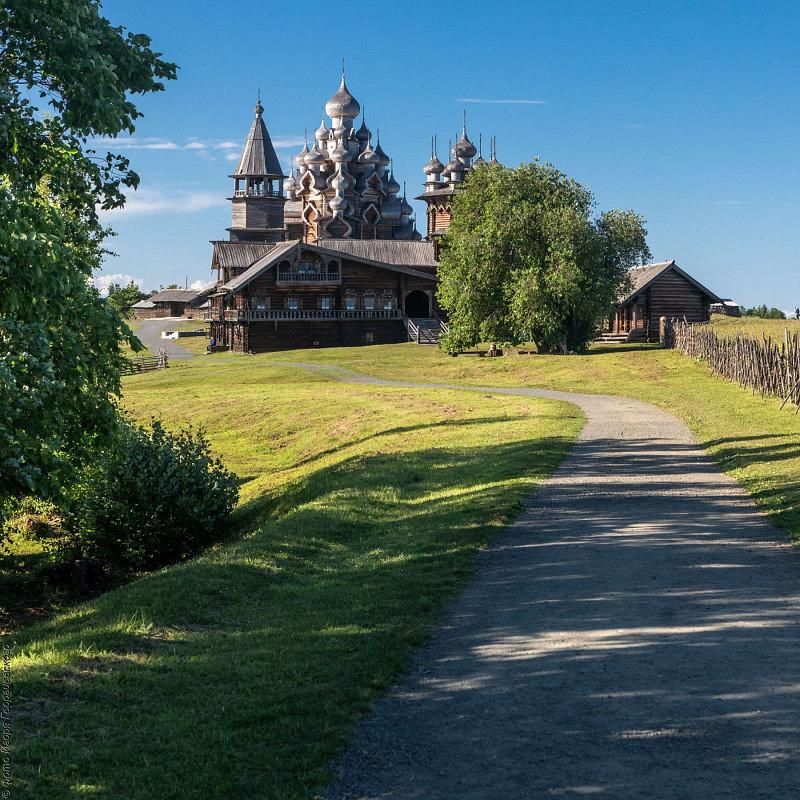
635,634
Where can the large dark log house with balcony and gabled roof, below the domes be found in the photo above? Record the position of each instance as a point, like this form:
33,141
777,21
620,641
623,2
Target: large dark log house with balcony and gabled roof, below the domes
345,292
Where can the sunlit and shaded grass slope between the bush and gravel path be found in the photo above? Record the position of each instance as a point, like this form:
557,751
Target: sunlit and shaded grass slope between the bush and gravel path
238,674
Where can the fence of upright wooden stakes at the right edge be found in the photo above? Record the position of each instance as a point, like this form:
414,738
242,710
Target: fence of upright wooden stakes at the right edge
762,365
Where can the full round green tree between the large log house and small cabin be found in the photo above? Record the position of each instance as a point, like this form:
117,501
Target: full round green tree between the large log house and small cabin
525,260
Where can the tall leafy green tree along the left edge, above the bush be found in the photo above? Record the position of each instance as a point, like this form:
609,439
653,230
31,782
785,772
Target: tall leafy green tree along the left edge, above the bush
66,76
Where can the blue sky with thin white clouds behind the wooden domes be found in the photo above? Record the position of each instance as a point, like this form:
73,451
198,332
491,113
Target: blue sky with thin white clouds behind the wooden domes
686,112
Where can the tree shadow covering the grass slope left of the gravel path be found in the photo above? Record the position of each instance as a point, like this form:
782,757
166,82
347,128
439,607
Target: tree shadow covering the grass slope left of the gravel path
240,673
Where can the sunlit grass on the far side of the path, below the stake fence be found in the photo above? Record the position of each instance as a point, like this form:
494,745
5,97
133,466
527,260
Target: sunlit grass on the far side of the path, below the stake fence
750,438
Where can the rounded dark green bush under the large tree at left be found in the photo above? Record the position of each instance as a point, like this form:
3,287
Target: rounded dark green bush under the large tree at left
159,498
